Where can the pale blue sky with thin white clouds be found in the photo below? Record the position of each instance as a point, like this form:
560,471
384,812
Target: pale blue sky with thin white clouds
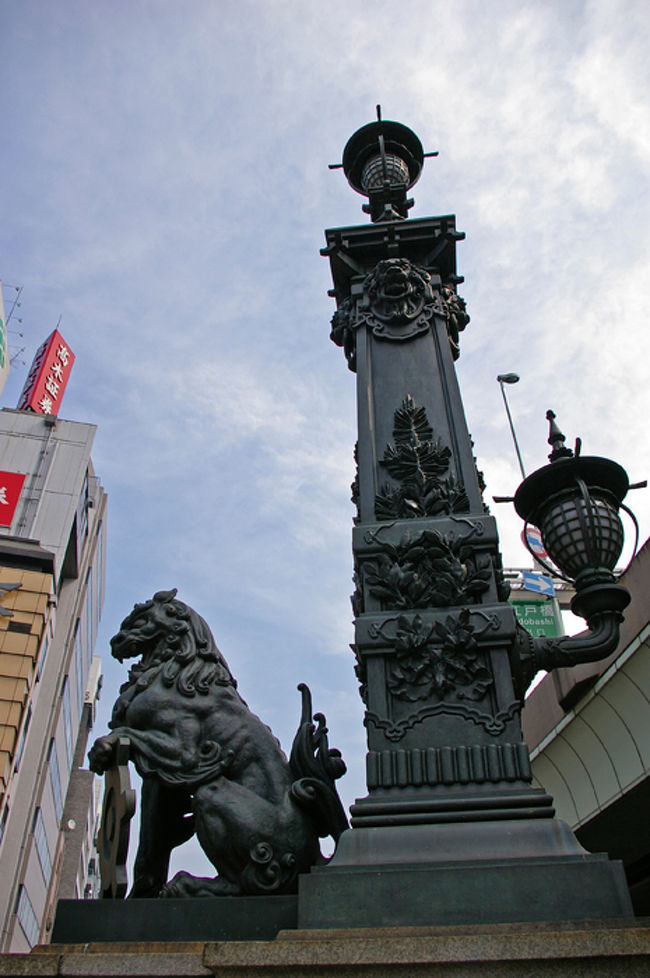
164,195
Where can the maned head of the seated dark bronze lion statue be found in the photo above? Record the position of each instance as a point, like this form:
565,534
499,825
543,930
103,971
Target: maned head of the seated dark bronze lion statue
168,634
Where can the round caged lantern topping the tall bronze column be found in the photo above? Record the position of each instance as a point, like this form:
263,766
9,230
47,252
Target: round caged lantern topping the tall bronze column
382,161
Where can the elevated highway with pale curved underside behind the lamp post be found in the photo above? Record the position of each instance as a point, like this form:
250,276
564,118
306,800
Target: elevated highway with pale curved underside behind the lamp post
588,733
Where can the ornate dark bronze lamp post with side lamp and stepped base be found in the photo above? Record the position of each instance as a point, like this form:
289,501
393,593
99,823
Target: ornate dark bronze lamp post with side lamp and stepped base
451,830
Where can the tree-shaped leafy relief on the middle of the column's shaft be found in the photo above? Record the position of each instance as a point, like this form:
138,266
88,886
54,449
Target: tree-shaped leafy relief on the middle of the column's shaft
418,462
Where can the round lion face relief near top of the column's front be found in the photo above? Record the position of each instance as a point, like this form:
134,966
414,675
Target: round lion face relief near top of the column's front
398,289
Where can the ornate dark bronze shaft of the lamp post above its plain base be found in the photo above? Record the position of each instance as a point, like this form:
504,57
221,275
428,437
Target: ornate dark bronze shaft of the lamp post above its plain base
433,629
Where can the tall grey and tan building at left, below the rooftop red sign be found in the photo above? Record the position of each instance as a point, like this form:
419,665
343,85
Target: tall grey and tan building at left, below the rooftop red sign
52,561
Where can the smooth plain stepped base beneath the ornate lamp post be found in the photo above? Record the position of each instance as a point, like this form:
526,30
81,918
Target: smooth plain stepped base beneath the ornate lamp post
462,873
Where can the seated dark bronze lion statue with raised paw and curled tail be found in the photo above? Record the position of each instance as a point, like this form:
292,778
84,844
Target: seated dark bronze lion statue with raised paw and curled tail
211,767
